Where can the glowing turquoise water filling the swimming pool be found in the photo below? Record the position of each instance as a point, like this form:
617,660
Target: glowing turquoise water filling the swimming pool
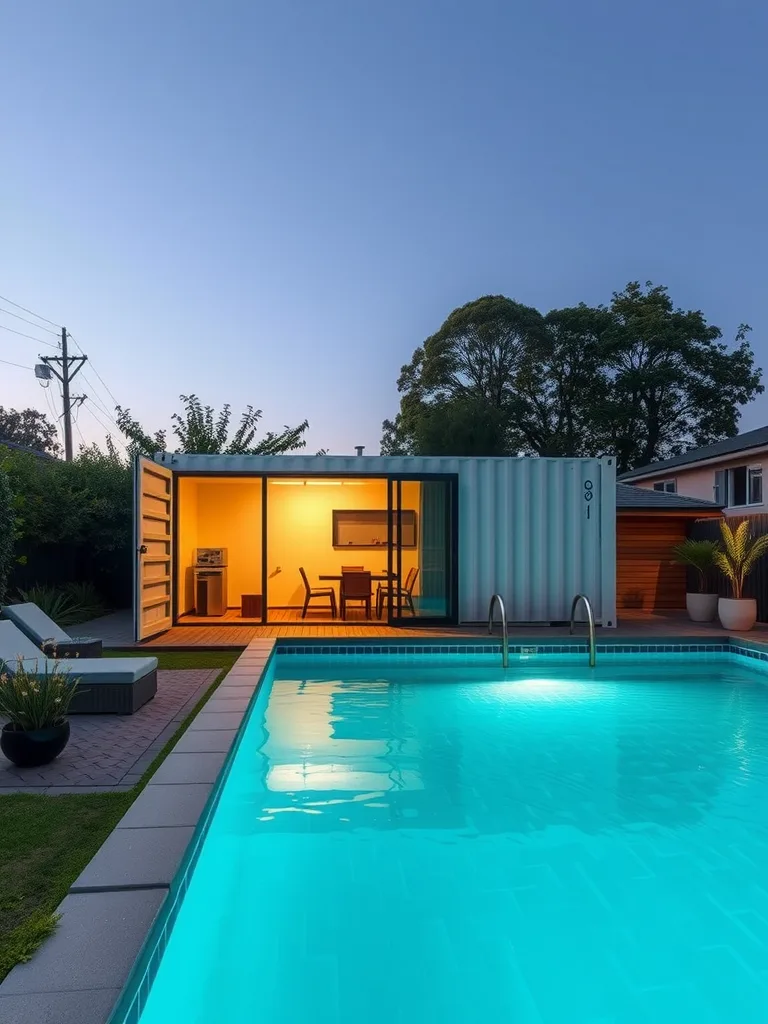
402,843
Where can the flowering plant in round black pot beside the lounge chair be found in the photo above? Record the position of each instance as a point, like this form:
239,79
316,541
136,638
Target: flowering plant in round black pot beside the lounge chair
36,705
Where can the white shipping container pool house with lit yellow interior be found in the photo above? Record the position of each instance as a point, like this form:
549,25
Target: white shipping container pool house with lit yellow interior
267,540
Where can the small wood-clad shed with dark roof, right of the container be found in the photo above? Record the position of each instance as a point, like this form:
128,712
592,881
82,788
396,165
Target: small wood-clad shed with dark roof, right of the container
650,525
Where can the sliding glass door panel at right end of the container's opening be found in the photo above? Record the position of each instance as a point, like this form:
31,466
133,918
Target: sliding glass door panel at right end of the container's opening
422,551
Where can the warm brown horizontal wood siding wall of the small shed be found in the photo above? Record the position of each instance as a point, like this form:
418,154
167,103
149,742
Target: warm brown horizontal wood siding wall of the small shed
647,580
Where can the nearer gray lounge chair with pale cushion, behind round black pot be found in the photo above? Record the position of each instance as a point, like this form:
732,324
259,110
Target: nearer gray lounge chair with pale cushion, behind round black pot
117,686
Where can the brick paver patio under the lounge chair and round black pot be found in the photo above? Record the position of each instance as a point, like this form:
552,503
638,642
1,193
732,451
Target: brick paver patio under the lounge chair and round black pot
112,752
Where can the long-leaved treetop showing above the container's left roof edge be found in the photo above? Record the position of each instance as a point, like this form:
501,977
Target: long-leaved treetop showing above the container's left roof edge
200,433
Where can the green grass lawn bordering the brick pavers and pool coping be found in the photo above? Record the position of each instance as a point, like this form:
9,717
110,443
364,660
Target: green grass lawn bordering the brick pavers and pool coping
46,842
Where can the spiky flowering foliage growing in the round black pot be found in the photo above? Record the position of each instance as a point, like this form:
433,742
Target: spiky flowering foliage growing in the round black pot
33,700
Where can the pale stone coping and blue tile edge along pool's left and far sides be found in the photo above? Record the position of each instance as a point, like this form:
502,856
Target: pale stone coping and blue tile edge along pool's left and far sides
99,965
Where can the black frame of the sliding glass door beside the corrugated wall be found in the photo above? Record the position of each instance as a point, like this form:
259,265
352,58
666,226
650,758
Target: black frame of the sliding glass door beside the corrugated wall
396,617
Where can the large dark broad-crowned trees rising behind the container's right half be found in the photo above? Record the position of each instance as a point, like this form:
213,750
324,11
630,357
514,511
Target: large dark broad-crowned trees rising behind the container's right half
639,379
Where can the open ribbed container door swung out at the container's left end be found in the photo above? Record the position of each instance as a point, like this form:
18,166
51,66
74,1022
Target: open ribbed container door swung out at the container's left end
153,526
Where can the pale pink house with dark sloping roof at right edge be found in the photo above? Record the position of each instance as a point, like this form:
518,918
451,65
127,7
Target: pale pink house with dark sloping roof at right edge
730,474
